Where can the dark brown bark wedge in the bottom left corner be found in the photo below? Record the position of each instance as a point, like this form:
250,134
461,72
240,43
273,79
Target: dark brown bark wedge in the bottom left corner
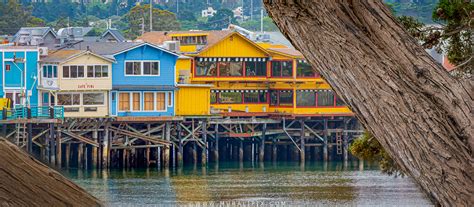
25,181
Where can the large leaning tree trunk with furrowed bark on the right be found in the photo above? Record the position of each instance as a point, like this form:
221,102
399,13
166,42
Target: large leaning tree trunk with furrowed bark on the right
420,114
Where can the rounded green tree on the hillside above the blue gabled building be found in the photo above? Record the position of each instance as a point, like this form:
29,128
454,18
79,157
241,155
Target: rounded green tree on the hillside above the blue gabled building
162,20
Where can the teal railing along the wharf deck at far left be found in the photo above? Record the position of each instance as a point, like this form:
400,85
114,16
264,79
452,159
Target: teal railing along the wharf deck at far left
35,112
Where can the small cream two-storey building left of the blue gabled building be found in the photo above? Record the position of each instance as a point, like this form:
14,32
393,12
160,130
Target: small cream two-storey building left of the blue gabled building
78,80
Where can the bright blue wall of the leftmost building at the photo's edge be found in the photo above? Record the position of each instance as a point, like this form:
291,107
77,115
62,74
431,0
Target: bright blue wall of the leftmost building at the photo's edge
13,78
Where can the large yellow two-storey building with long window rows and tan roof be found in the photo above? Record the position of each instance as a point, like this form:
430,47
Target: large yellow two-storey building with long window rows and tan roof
248,78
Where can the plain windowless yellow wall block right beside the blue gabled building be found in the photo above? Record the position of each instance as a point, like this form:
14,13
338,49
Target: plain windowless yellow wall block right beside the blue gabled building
192,100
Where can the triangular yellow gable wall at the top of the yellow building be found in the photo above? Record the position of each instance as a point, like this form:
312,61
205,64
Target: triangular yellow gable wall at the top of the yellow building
234,46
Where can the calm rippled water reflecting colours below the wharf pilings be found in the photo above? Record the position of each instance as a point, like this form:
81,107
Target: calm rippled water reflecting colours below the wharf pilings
232,184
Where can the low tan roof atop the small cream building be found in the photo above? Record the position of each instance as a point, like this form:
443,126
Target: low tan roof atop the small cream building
61,56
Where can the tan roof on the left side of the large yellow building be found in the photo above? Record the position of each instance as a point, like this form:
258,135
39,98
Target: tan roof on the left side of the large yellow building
159,37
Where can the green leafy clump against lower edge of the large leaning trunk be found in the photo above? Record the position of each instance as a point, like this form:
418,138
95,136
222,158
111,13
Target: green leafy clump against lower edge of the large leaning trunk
368,148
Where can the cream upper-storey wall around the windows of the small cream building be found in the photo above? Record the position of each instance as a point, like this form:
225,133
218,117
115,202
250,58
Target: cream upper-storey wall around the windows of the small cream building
85,84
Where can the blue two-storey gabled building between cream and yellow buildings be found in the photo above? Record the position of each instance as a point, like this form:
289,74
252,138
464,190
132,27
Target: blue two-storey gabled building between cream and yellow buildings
143,78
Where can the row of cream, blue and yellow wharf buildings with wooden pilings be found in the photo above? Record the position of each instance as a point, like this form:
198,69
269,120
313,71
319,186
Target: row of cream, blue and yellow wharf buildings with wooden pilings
219,97
